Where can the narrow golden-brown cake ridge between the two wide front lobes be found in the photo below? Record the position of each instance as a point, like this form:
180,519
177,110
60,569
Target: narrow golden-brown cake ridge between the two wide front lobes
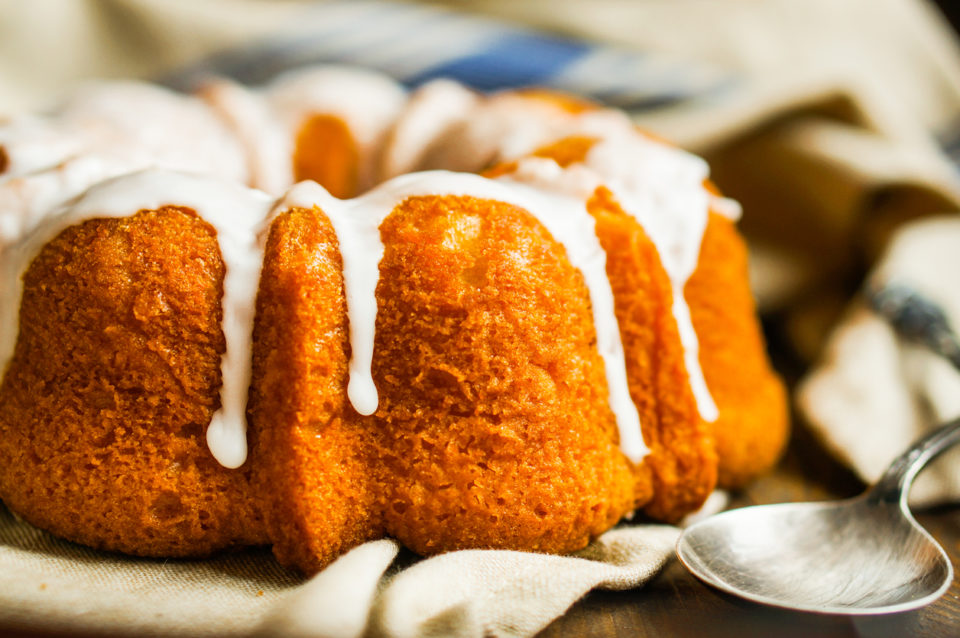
311,453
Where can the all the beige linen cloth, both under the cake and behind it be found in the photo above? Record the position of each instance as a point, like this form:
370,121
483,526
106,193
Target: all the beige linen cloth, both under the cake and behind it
829,137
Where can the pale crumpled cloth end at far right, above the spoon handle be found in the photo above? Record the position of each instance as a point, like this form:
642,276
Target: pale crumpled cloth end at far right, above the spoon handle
874,392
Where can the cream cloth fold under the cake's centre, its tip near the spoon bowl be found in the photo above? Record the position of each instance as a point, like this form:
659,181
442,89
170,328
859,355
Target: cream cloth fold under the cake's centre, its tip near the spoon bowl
480,593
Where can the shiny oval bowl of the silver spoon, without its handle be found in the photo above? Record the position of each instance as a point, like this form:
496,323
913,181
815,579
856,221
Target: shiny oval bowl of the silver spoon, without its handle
848,557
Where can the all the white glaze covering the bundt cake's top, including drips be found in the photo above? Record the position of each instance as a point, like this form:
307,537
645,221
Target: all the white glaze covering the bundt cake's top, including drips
660,186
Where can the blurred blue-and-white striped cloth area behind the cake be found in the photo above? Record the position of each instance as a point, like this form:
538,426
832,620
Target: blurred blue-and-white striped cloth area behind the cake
415,44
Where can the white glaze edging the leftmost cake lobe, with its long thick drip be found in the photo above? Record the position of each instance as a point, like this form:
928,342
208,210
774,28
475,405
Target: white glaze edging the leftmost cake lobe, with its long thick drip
237,214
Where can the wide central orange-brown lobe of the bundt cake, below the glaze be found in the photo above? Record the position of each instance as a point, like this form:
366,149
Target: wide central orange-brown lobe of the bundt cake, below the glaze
495,430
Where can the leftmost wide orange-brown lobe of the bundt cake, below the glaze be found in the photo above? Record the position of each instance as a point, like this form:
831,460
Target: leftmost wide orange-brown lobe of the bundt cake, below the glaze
104,406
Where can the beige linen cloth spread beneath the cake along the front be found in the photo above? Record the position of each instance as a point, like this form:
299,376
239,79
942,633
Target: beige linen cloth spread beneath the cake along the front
47,584
